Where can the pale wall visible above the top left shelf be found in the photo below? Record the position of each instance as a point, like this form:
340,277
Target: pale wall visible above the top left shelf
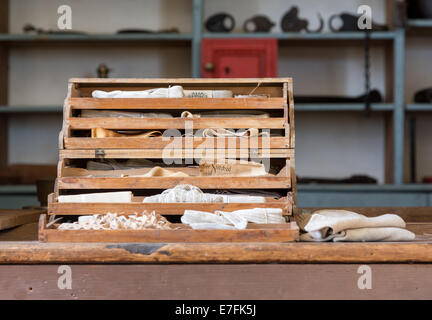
104,16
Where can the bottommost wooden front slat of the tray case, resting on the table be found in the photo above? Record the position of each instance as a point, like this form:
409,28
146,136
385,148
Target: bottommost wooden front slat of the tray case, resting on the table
254,233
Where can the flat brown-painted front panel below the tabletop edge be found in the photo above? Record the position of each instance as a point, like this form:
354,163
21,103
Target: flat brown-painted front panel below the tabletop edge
227,282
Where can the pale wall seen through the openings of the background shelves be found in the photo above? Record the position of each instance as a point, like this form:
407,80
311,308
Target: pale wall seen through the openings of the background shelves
38,76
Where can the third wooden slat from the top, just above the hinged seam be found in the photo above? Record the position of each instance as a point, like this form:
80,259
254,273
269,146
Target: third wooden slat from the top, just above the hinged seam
160,142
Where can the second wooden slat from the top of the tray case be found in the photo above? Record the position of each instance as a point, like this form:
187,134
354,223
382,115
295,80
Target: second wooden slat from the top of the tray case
175,123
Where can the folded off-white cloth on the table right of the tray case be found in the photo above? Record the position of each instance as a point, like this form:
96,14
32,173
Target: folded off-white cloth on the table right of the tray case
343,225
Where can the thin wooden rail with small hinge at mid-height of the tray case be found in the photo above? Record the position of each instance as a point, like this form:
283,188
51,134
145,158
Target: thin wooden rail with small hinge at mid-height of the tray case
177,153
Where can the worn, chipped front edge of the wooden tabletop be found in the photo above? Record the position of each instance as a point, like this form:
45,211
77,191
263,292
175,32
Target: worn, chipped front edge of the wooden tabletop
222,252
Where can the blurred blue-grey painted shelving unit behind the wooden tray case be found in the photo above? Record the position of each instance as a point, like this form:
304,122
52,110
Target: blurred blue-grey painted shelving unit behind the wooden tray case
393,111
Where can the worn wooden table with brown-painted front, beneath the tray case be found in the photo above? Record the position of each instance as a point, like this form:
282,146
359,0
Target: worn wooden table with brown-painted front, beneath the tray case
29,269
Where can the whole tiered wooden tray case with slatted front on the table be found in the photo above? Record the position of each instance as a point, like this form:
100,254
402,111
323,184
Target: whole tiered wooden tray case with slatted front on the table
77,147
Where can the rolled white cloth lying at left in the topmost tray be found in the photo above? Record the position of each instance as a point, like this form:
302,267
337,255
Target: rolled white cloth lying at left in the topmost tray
172,92
